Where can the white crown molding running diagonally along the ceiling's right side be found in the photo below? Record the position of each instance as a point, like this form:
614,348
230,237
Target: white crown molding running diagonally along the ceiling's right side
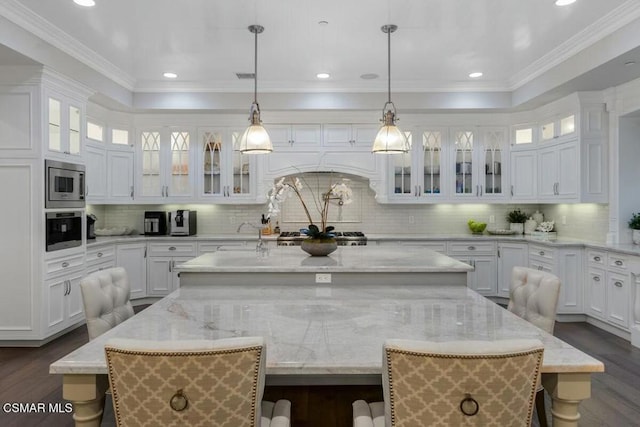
605,26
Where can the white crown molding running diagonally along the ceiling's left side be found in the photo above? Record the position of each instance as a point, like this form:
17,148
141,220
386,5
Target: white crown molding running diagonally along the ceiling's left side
40,27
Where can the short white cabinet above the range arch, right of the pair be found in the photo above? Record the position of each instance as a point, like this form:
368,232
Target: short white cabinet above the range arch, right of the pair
349,137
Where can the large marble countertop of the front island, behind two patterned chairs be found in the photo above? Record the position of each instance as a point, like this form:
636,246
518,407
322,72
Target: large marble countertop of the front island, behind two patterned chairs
326,331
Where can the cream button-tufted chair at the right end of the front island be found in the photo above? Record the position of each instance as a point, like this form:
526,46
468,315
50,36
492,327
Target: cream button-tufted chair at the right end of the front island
533,295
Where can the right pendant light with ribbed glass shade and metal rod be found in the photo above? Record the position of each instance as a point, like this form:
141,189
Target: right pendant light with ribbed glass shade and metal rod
389,140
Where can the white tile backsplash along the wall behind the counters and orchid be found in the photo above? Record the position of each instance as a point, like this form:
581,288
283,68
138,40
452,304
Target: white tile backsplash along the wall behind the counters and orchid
584,221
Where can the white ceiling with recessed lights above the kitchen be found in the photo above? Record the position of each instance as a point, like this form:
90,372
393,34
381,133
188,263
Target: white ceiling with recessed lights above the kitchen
521,46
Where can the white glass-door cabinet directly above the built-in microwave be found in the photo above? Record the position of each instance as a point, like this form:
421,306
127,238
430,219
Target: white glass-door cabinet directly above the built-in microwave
64,117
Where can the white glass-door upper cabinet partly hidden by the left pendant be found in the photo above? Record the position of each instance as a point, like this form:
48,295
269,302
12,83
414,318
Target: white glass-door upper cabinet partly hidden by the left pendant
225,175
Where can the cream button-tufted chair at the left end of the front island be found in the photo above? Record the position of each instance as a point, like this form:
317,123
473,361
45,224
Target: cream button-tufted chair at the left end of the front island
105,295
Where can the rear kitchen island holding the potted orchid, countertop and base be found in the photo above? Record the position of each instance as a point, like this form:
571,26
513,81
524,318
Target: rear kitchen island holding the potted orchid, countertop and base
348,265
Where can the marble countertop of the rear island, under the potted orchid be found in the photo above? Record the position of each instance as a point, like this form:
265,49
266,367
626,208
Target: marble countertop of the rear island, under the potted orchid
352,259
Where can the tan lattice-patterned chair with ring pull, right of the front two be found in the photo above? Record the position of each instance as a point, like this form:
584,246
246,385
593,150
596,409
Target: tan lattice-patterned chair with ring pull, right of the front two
456,383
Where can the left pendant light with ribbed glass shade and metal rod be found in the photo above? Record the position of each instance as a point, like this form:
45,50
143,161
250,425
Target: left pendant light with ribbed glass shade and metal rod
255,139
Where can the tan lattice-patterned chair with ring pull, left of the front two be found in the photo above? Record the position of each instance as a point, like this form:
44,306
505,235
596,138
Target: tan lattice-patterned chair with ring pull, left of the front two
191,383
